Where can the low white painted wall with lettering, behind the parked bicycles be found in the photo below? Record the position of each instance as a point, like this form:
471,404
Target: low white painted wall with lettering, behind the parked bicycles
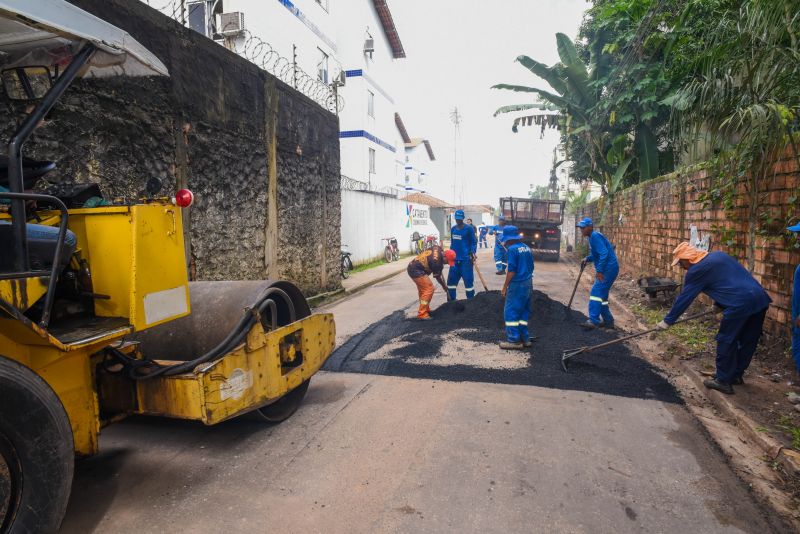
367,217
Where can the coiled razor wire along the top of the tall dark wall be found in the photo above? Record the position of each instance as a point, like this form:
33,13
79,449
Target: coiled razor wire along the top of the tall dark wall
263,55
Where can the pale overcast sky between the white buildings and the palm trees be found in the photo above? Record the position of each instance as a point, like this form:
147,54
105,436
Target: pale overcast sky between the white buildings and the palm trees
456,50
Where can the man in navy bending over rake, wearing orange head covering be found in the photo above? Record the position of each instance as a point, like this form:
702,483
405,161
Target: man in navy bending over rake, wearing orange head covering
743,302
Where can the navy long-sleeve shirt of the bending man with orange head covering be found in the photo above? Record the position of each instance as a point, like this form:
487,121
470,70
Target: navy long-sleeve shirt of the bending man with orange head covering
724,280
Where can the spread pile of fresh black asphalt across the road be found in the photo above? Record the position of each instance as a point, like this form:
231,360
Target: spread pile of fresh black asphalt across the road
613,370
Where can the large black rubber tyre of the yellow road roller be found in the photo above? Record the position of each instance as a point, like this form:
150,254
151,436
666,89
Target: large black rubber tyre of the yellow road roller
36,452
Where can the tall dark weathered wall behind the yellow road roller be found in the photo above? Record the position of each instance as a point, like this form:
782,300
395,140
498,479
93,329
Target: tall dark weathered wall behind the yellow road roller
212,126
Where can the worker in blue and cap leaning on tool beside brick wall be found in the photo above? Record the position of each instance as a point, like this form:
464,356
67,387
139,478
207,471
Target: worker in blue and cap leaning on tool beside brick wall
602,255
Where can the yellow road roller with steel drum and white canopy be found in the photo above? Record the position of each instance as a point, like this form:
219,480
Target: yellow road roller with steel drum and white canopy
98,319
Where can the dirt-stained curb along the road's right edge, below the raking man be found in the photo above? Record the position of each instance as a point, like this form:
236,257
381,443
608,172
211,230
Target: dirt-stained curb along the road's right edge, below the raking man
770,446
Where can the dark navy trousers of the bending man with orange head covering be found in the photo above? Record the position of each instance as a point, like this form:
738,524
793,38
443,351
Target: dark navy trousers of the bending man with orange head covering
737,340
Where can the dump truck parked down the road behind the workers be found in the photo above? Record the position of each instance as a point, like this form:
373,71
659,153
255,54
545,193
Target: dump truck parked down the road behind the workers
539,221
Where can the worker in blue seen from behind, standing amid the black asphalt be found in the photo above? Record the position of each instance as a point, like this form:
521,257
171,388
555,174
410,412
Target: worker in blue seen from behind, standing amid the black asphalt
517,290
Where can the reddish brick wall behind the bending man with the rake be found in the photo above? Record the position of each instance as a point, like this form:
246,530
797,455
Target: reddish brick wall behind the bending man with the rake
647,221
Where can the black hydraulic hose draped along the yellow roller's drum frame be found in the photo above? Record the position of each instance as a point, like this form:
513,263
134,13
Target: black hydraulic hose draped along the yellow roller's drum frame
234,338
